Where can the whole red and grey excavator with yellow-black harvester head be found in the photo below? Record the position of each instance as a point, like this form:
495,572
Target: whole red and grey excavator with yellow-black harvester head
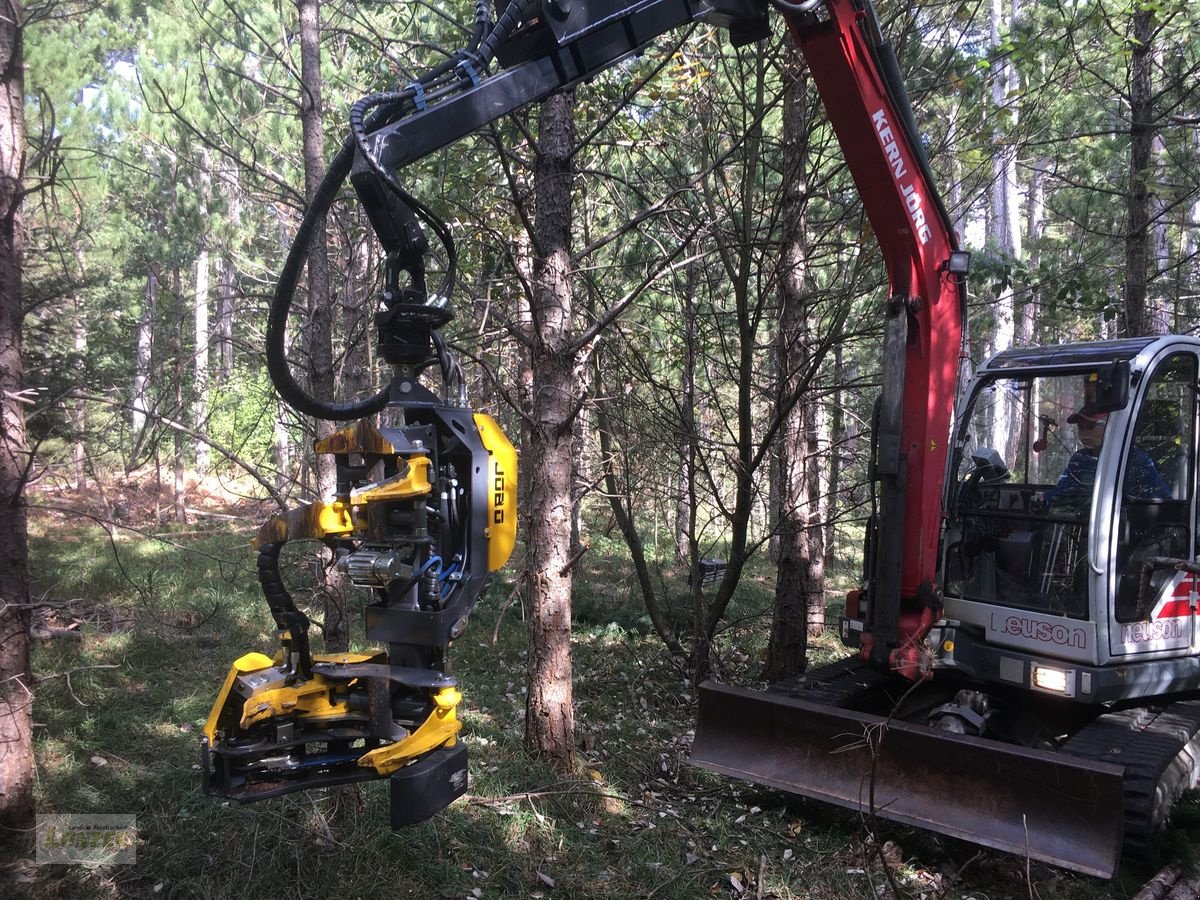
1025,661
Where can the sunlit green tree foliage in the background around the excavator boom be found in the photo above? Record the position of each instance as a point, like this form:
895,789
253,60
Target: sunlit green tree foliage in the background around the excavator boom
175,128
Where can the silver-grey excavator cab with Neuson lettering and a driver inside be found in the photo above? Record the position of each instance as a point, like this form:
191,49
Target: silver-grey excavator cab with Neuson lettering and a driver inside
1070,505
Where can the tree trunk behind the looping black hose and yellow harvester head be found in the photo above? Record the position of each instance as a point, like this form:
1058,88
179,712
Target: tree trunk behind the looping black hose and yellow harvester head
321,314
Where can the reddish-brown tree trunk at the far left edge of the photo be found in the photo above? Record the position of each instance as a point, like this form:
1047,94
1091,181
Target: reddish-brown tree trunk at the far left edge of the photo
16,682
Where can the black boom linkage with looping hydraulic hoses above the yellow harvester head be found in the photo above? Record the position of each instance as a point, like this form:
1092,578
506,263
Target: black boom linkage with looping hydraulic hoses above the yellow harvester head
547,47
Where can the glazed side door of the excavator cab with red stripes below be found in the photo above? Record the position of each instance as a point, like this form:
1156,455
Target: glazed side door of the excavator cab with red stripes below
1156,517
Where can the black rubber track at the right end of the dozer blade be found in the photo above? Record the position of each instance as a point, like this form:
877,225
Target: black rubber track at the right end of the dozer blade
1145,741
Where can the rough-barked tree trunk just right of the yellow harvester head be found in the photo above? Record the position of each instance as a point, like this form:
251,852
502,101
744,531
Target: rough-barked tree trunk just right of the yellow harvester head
550,715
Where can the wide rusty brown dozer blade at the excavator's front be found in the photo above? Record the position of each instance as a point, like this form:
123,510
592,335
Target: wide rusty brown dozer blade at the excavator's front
1051,807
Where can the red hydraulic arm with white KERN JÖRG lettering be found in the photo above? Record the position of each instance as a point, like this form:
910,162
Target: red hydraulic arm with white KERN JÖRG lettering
857,76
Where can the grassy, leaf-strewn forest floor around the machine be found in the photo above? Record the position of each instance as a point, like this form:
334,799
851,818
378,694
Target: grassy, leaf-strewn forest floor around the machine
160,614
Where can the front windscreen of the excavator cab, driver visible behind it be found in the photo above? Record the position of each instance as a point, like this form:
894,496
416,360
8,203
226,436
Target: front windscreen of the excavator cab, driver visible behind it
1022,495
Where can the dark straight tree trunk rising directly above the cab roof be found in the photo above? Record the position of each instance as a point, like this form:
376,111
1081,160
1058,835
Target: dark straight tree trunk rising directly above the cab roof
1142,141
